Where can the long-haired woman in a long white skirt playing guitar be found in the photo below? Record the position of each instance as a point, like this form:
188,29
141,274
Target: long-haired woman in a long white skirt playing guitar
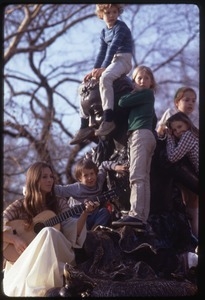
39,258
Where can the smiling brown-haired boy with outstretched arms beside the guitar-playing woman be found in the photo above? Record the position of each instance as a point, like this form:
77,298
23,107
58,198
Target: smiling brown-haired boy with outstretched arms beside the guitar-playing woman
89,185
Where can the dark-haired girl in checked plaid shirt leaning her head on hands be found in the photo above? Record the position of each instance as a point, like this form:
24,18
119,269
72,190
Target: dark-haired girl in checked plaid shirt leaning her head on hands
183,140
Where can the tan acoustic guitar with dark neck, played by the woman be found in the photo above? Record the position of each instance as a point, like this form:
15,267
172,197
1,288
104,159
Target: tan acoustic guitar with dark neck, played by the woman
45,219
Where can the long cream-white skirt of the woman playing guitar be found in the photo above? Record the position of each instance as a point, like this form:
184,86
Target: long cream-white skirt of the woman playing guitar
40,266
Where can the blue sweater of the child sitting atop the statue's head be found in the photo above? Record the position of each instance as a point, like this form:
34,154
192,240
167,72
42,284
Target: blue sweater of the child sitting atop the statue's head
117,39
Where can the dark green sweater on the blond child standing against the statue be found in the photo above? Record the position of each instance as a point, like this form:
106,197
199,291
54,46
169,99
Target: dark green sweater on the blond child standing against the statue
141,105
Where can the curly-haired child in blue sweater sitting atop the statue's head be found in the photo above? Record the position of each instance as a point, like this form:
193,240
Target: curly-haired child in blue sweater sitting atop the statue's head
113,60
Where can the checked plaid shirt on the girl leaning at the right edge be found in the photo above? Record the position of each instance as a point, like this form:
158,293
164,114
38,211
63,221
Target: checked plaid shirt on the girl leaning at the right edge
187,145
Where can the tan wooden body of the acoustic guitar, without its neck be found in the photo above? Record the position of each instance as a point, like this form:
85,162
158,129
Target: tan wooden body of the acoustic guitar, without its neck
27,234
